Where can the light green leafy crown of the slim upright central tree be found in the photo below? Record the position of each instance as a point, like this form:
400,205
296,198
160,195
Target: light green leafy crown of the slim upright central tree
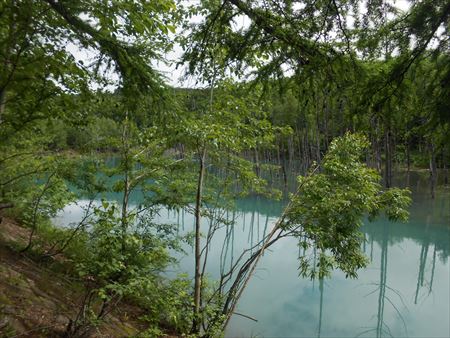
232,123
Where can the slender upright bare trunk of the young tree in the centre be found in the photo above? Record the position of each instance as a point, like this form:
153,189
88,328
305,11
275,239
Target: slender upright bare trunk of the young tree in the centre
197,279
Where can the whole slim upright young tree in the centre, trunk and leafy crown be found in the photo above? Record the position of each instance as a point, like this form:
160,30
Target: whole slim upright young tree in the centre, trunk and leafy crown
215,136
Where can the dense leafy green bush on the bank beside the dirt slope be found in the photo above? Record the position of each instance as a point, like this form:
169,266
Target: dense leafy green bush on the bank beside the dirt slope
116,264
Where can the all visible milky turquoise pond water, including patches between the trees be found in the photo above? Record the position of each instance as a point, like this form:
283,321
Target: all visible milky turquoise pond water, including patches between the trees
404,292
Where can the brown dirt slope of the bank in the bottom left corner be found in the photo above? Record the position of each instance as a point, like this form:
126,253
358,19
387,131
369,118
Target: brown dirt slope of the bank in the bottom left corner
37,301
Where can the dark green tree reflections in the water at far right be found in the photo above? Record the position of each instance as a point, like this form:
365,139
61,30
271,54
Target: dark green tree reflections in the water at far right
425,232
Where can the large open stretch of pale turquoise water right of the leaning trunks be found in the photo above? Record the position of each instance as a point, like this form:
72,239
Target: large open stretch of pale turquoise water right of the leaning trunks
403,293
